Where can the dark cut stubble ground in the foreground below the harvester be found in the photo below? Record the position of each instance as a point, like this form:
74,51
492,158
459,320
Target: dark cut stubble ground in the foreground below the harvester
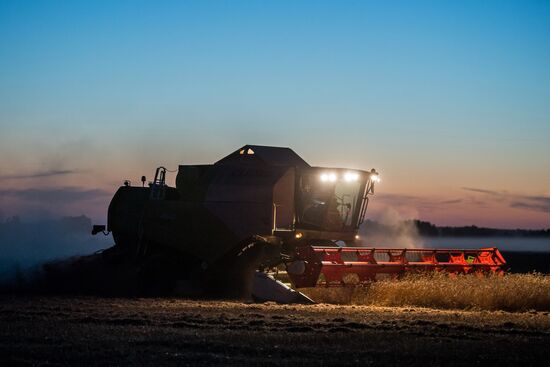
116,331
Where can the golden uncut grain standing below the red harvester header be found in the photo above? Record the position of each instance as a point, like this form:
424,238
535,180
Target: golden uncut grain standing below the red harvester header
513,292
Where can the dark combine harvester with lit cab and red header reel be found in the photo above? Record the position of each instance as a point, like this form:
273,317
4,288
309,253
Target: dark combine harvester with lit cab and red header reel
230,228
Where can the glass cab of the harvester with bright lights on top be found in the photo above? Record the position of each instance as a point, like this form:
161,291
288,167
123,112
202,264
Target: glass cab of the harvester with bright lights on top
329,201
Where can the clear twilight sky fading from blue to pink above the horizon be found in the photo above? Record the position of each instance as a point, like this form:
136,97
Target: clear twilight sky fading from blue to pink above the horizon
450,101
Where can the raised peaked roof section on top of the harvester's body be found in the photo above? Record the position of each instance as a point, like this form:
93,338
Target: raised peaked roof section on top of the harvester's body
274,156
